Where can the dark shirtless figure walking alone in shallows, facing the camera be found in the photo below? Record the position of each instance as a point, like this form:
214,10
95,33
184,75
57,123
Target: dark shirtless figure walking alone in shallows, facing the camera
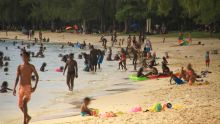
71,73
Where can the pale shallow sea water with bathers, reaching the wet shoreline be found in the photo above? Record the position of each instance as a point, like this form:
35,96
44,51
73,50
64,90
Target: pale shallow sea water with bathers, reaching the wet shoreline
52,98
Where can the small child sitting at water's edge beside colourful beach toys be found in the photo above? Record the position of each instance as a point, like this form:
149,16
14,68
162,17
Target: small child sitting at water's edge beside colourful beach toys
85,111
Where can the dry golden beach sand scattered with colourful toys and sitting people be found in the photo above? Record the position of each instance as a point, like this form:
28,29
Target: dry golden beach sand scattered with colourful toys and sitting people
199,103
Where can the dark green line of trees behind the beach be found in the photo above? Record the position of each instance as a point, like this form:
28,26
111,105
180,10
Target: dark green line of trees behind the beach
108,15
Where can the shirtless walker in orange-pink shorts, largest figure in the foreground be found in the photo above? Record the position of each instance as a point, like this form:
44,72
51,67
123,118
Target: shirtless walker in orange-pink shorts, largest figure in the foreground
24,73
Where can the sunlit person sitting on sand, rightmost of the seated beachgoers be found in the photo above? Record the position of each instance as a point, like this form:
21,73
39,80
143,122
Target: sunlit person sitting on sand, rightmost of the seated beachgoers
190,74
